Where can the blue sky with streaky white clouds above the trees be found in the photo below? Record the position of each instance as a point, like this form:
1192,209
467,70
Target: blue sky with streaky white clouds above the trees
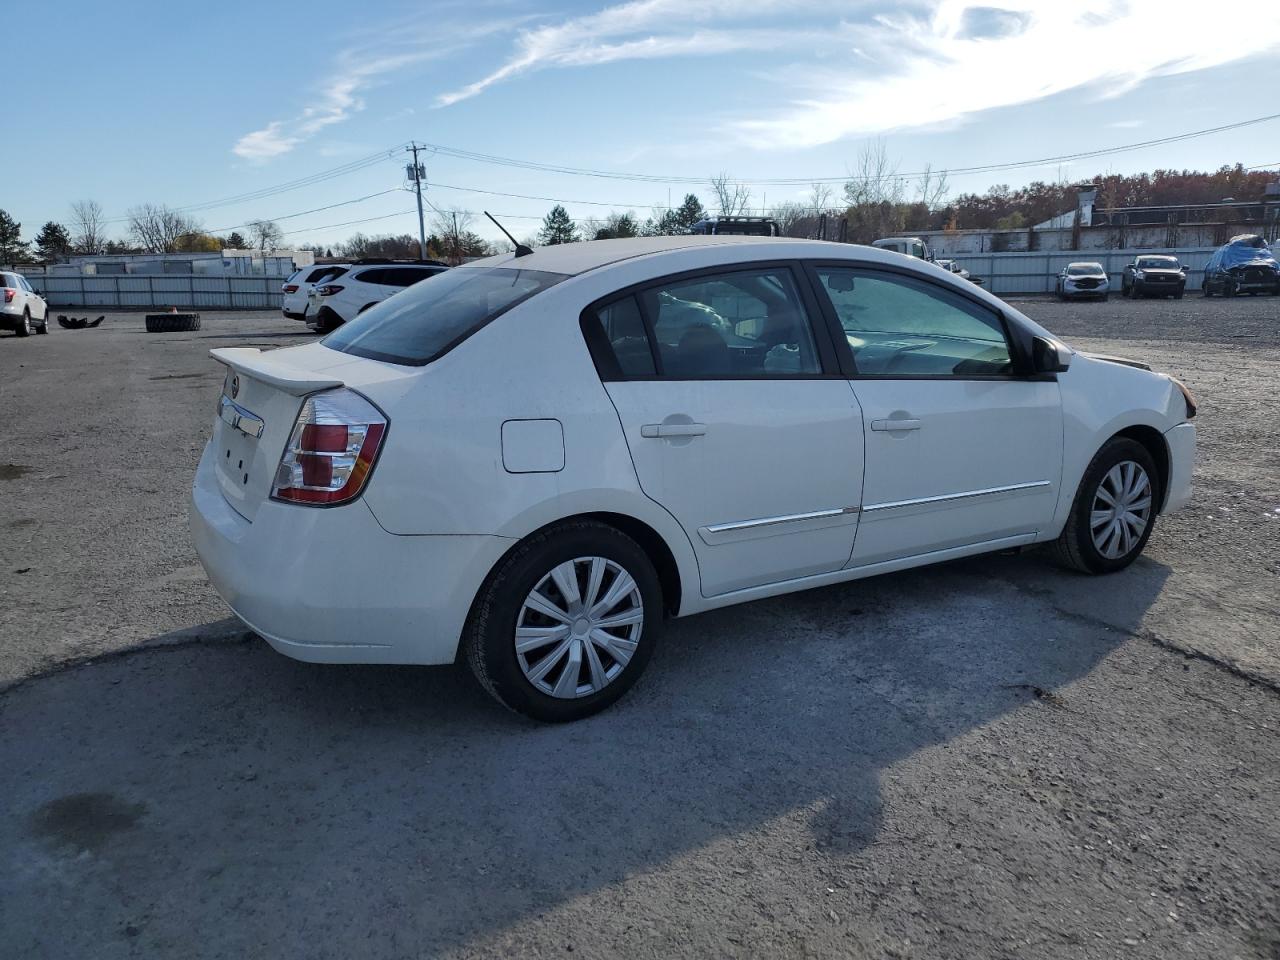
236,111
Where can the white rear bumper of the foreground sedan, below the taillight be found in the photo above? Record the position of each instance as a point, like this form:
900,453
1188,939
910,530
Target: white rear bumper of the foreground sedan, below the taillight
332,586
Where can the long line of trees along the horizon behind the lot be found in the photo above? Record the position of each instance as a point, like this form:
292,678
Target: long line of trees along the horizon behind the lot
876,202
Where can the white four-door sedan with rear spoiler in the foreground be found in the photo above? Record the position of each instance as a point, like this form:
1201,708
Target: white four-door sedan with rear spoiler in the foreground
532,461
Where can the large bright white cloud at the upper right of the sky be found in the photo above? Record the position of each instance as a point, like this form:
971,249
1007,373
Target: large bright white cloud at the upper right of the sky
935,70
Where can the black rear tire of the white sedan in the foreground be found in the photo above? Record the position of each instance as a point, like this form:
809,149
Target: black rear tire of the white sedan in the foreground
504,604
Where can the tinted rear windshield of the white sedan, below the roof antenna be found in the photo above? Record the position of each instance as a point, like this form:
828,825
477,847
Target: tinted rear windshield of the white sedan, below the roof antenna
428,321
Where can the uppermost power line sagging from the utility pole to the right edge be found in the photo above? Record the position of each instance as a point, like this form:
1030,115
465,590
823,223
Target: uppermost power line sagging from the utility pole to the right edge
792,181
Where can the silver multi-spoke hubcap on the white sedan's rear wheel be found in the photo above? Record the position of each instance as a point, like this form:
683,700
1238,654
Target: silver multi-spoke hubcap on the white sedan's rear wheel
579,628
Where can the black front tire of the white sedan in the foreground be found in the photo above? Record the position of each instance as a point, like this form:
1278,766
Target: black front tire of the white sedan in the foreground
1078,547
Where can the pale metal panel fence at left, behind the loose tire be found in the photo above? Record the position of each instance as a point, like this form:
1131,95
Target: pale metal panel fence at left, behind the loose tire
162,291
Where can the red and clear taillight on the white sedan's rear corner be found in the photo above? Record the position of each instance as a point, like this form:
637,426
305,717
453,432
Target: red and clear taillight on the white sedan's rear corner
332,451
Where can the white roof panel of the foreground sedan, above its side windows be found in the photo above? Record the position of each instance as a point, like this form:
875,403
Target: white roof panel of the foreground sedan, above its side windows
574,259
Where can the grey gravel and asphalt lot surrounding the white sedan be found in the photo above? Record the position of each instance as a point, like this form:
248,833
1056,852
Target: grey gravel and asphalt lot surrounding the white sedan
993,758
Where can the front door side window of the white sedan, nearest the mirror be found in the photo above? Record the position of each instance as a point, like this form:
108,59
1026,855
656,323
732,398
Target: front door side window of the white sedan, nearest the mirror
897,326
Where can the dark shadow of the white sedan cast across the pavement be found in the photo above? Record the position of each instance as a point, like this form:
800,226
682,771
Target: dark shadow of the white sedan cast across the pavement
199,794
